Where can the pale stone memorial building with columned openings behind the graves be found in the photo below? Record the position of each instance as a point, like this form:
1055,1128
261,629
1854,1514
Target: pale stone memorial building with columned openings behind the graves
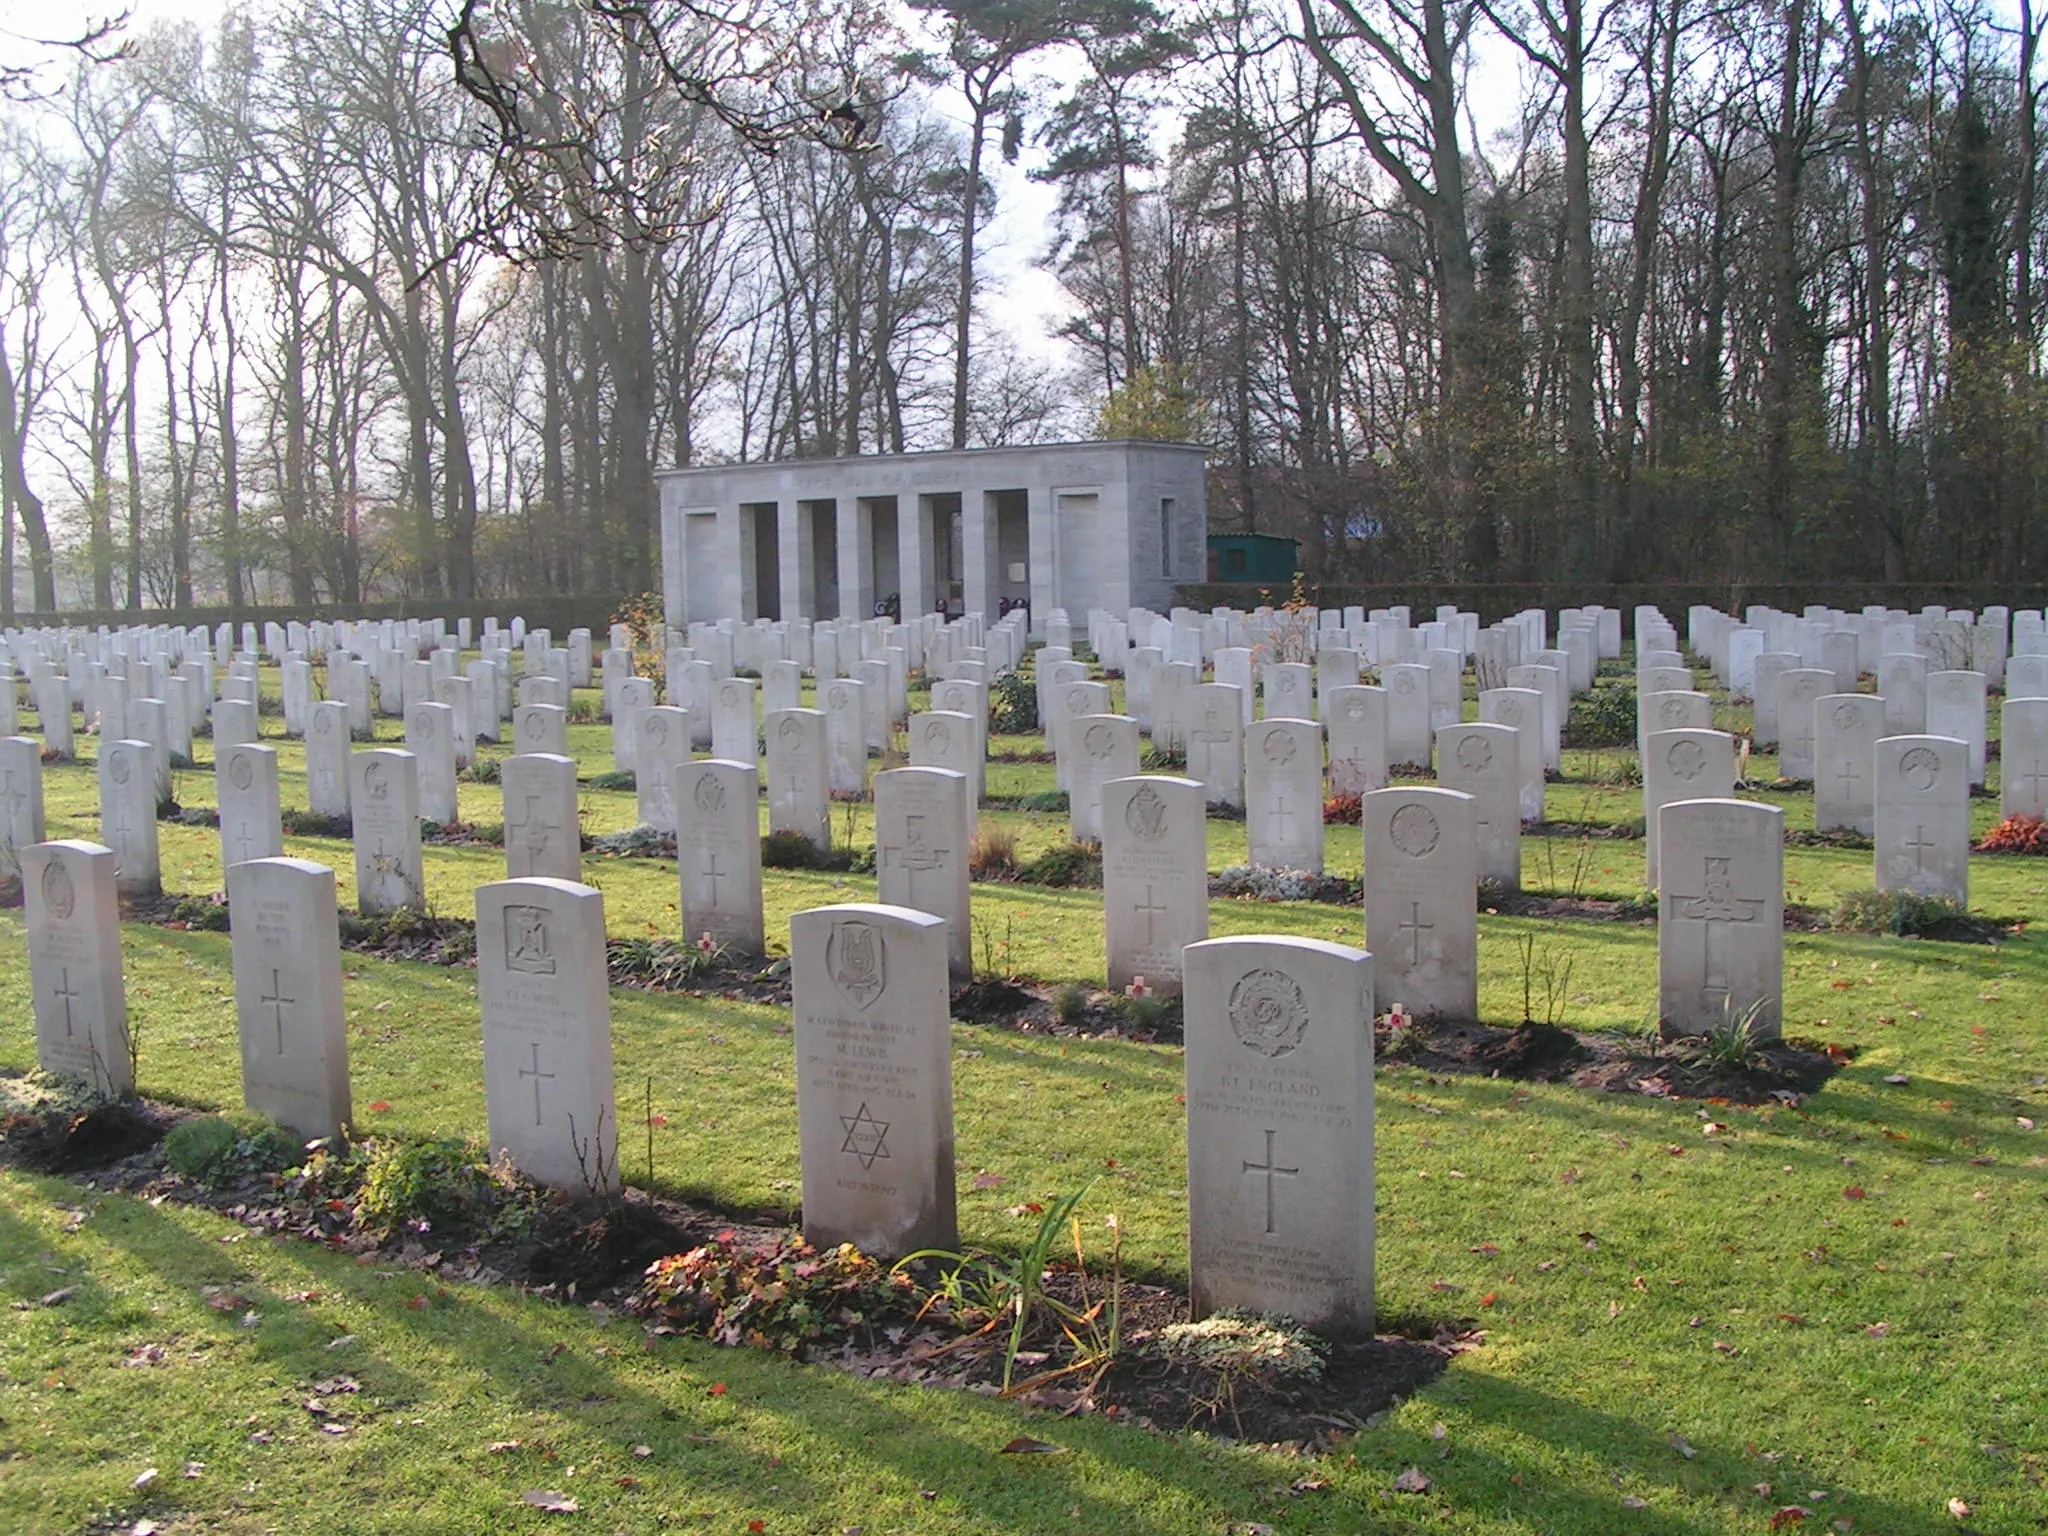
1066,525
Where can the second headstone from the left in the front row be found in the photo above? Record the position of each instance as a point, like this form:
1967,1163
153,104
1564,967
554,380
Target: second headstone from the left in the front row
288,955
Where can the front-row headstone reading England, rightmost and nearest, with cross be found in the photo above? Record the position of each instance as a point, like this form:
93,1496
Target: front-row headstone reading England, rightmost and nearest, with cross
1281,1132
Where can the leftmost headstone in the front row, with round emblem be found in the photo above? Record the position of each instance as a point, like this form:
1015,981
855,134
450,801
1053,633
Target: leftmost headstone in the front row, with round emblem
75,966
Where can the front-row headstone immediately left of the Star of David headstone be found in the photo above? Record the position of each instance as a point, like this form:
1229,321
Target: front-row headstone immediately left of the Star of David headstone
548,1033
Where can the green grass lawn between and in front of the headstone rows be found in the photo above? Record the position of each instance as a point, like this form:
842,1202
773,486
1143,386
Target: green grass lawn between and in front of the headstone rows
1840,1302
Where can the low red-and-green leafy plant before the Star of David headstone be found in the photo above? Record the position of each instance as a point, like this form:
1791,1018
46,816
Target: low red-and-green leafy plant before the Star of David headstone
777,1295
